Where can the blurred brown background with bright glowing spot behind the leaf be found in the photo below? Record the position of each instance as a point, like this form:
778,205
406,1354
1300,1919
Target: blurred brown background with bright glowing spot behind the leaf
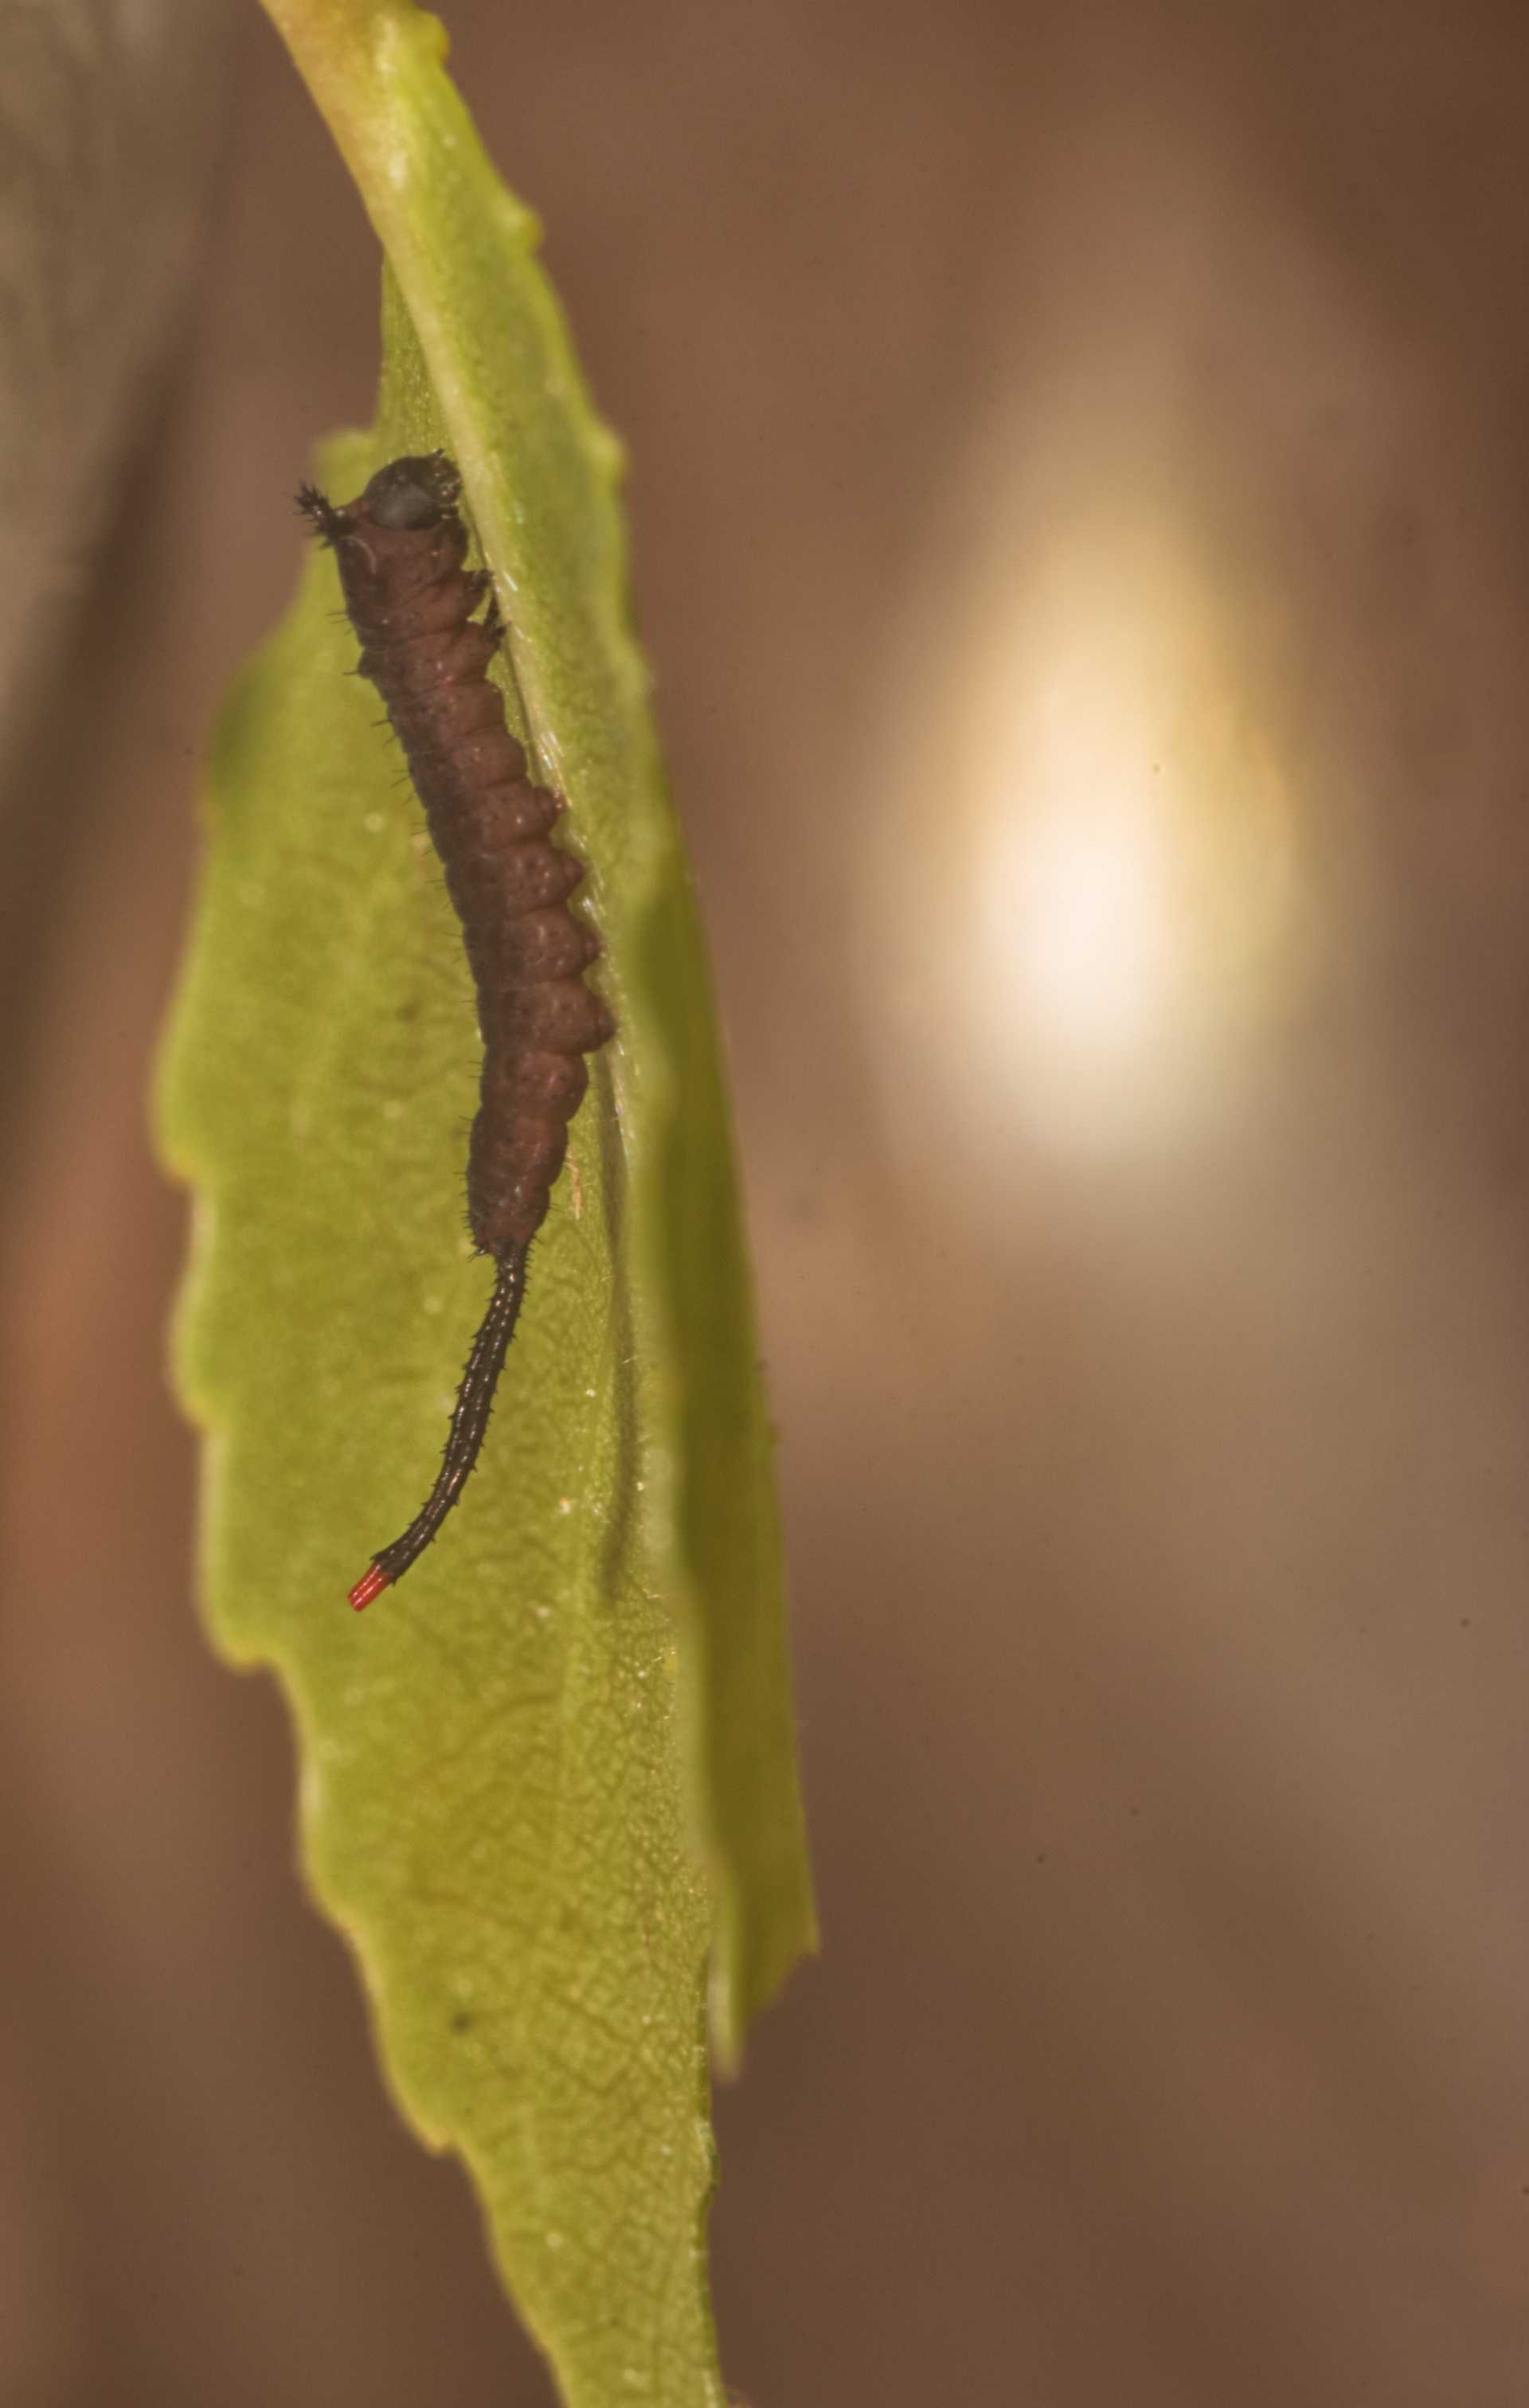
1082,536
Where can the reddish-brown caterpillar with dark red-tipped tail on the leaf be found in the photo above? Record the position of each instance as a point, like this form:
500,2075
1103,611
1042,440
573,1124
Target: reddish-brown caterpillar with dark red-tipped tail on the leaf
401,550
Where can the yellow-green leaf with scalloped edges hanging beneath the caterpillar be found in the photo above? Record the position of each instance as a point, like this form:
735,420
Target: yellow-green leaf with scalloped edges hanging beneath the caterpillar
548,1783
